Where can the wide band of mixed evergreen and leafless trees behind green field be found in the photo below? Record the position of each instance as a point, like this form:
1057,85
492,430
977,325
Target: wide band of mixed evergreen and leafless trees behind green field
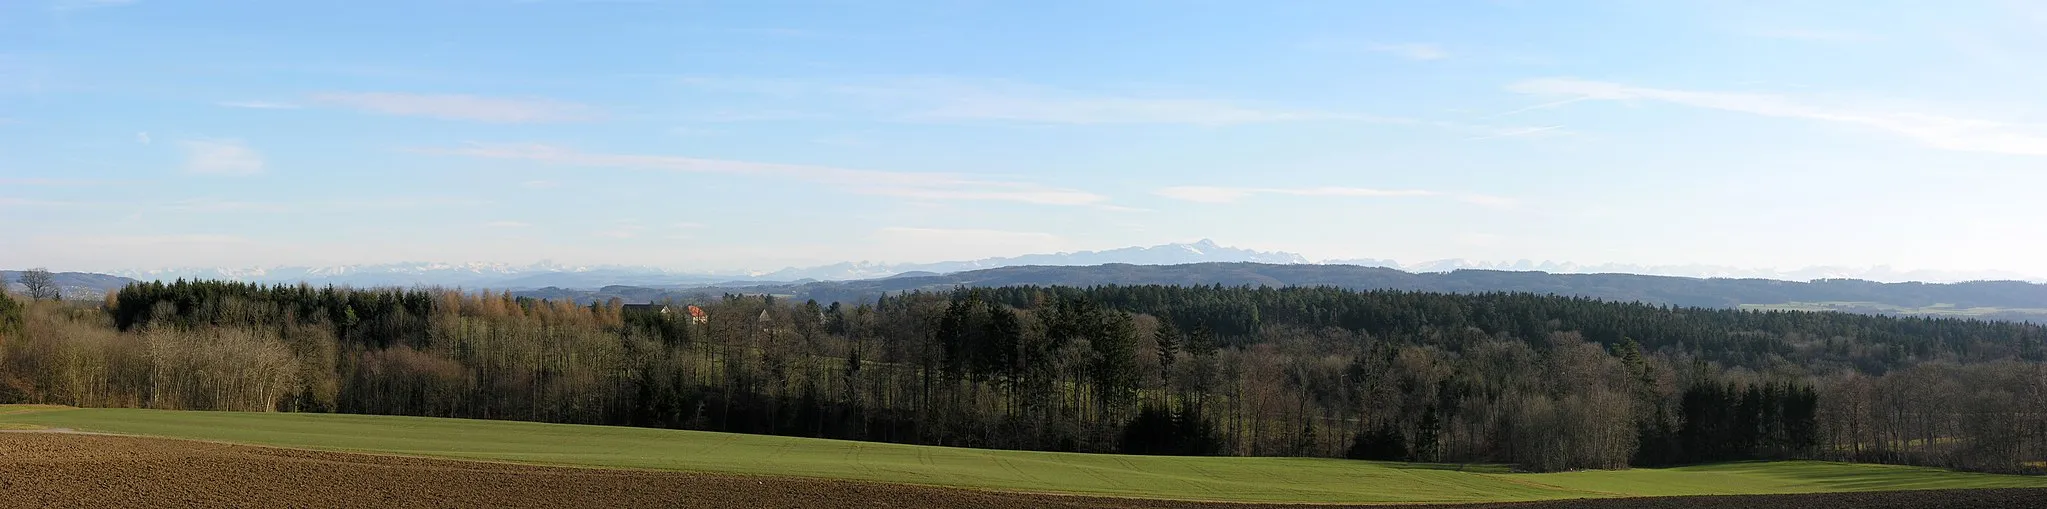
1549,383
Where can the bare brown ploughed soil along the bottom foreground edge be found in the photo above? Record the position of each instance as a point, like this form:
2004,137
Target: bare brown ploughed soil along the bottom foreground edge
112,471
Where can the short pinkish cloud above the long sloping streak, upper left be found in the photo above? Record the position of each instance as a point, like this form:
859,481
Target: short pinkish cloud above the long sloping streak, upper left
458,107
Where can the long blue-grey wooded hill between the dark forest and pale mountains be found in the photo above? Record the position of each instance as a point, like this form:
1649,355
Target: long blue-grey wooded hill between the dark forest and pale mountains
1987,299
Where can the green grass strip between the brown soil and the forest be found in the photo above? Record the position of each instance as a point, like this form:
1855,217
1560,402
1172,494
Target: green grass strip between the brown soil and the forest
1153,477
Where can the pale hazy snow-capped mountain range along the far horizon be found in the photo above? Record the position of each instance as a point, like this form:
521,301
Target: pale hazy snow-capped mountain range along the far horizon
1201,252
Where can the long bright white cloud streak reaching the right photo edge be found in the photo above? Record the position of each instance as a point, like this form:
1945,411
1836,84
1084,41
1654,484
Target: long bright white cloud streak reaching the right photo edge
1942,132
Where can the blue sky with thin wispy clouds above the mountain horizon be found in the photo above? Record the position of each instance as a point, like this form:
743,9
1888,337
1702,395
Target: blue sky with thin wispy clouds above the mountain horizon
717,136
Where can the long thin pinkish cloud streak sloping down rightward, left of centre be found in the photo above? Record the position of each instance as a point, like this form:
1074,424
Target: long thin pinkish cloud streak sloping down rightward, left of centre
908,185
